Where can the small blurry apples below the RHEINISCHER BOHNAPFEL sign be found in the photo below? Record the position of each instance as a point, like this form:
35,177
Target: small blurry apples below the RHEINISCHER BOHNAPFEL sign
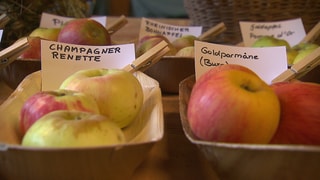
182,46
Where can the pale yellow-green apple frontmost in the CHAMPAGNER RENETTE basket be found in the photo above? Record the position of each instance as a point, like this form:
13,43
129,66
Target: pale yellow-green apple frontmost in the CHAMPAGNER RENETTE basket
66,128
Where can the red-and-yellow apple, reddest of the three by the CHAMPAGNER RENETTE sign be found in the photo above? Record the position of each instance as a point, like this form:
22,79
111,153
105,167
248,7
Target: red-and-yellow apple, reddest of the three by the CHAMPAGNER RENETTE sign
44,102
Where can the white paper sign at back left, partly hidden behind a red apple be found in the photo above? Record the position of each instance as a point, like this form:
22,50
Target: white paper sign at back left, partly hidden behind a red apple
55,21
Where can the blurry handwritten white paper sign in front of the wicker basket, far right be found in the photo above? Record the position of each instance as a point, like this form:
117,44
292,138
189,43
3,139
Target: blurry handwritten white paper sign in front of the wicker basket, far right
291,30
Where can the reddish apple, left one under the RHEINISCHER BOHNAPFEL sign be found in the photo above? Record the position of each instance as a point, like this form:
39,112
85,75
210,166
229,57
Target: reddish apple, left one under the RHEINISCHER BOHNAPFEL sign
149,41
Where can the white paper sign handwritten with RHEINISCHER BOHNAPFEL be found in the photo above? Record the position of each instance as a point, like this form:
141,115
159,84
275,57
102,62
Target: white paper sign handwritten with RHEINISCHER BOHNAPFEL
171,32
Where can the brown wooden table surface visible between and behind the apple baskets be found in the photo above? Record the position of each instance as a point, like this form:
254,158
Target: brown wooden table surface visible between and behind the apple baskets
173,157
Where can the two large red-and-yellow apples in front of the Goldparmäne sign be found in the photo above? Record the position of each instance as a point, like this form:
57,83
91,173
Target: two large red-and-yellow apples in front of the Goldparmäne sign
231,103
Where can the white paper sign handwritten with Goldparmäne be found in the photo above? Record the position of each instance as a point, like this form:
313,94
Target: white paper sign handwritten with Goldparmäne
267,62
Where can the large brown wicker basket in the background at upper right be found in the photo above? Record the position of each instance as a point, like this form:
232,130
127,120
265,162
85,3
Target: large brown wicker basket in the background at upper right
207,13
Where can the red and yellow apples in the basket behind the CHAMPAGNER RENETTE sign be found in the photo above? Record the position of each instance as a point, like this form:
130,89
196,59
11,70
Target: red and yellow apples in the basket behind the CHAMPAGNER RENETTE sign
81,31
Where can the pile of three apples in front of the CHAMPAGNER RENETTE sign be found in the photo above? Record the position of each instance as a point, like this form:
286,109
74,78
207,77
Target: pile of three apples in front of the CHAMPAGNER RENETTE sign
90,108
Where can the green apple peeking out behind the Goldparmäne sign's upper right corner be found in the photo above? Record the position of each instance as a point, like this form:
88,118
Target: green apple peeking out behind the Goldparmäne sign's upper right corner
270,41
